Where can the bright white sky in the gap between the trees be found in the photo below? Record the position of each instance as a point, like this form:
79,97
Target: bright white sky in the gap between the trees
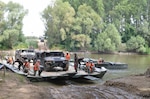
33,25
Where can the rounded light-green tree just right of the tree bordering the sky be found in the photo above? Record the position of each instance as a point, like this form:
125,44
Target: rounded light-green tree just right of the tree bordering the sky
88,22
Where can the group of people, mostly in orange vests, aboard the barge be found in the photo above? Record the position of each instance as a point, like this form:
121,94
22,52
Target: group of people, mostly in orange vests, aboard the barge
25,64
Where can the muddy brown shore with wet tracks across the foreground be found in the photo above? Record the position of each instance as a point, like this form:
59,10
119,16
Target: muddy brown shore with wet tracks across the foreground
14,86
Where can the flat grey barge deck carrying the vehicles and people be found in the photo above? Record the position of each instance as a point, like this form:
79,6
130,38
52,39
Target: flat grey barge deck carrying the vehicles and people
55,74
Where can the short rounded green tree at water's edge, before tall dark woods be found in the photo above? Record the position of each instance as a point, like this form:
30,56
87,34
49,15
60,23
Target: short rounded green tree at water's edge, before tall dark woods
109,40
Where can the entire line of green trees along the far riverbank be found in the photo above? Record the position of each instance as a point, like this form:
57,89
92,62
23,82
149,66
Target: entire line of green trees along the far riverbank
93,25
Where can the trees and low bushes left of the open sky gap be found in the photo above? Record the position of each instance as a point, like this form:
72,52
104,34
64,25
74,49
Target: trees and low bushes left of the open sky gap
11,23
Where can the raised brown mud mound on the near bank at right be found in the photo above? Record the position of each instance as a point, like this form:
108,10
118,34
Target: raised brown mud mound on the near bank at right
136,84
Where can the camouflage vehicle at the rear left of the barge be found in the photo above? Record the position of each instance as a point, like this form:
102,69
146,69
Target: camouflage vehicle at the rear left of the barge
24,54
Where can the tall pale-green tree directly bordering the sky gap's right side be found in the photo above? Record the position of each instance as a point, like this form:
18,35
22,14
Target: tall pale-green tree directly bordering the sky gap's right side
58,22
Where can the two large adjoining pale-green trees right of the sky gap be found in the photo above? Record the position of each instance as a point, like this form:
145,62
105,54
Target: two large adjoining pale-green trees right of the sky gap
64,26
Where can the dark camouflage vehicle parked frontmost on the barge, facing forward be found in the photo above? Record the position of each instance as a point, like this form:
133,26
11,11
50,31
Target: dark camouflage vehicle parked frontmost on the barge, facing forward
52,60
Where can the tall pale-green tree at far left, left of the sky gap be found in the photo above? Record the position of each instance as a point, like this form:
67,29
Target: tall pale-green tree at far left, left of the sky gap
11,33
